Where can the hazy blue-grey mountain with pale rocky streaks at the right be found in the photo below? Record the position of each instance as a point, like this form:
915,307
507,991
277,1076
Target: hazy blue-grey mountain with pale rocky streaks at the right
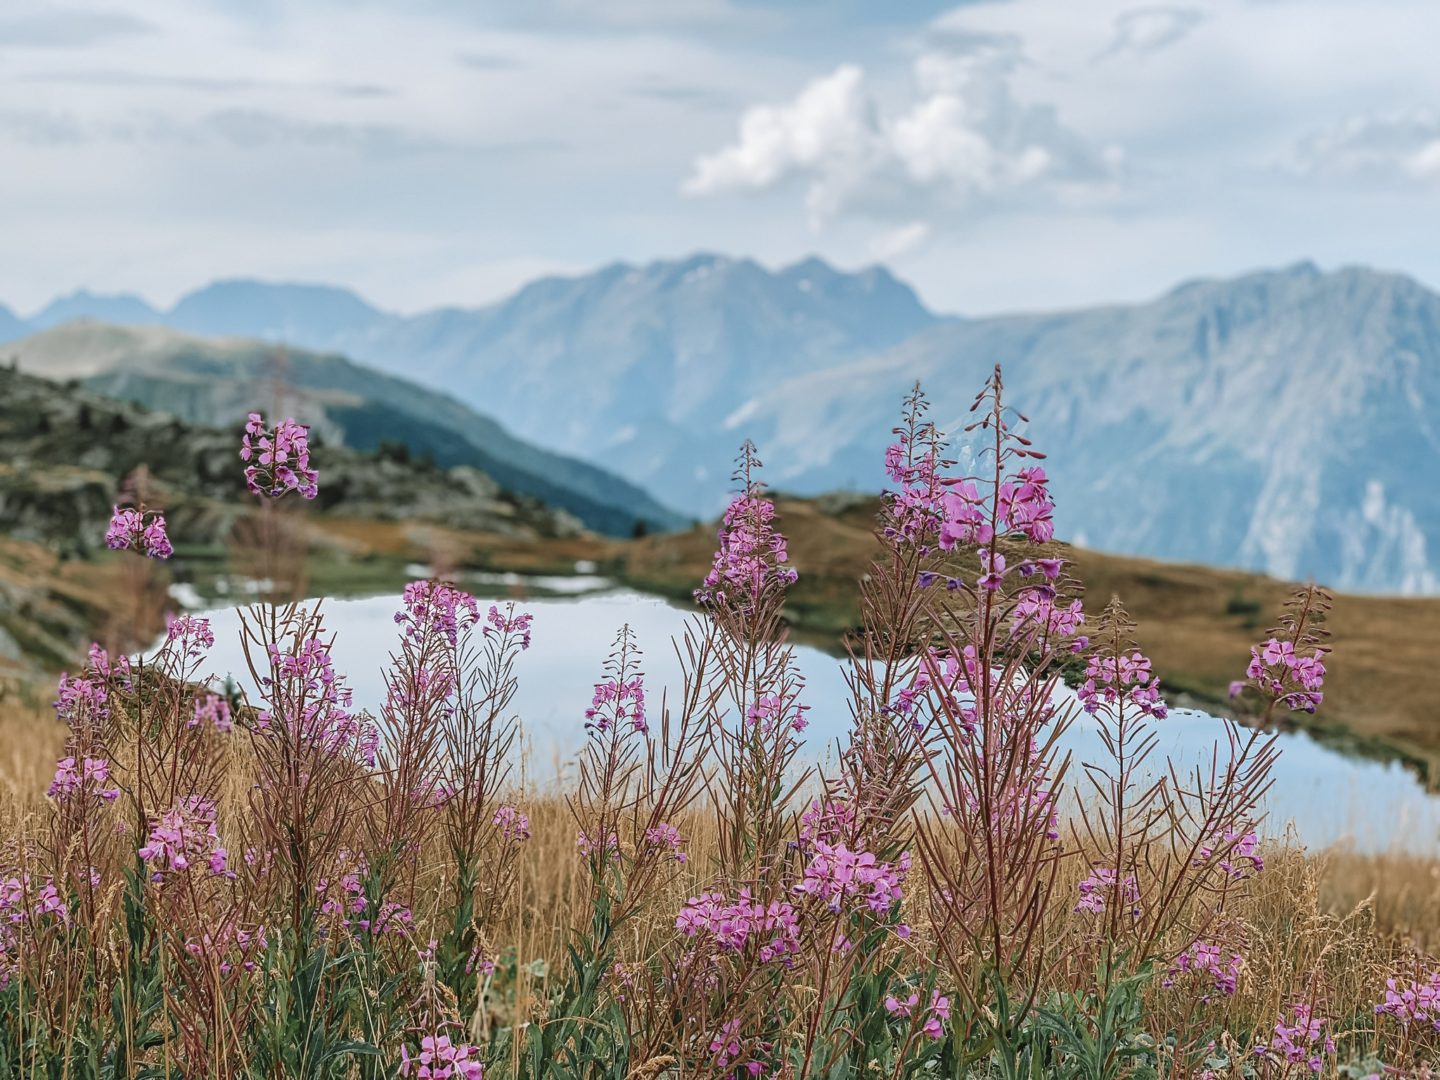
1284,421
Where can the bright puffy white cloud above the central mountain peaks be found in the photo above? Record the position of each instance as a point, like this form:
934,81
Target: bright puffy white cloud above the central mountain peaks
963,138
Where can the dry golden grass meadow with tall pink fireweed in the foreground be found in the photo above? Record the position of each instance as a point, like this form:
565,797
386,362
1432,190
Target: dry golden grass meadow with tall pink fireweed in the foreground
199,882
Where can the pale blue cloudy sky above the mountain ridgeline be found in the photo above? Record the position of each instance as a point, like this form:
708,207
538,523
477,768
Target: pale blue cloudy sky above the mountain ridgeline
997,155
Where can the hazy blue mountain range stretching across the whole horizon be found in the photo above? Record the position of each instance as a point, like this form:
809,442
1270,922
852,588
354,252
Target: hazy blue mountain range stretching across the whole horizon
1285,421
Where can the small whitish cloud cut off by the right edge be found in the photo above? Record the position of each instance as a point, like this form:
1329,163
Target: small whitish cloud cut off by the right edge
1396,146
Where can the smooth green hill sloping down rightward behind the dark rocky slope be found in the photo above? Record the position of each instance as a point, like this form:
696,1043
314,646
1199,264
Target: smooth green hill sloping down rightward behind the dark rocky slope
217,382
